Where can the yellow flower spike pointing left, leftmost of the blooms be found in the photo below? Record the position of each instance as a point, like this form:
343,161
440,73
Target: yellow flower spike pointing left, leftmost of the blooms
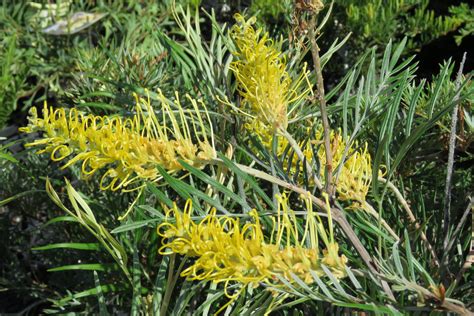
128,148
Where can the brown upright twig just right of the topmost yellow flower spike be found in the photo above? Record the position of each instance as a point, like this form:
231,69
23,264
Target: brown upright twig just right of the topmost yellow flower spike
322,104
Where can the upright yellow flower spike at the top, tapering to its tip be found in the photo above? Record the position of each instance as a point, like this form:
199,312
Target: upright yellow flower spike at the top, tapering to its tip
263,82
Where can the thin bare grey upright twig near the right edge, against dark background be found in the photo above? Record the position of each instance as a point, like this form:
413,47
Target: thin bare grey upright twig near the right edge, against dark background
450,168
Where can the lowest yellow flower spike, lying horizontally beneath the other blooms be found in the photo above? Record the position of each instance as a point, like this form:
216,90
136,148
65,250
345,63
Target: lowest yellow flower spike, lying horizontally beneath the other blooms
227,252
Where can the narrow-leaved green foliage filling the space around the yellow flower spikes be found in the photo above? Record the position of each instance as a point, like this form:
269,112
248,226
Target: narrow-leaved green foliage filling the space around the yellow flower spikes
70,253
